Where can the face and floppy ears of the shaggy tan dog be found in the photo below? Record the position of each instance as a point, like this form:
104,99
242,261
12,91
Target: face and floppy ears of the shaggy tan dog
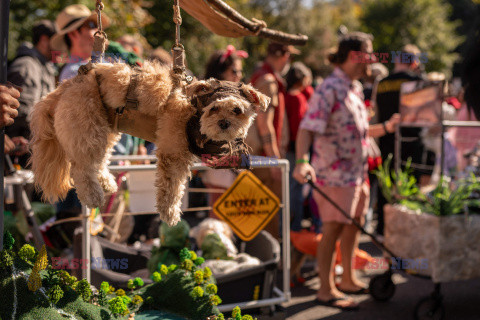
228,108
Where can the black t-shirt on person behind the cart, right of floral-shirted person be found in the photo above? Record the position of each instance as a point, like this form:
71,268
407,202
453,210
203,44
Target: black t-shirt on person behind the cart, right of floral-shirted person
388,100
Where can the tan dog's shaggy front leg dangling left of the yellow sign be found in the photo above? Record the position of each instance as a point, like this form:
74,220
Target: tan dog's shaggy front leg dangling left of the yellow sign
173,171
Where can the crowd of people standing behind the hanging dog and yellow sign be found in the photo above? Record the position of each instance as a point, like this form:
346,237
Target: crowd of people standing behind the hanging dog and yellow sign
326,128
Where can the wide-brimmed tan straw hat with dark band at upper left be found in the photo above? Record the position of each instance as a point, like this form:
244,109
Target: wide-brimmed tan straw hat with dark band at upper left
70,19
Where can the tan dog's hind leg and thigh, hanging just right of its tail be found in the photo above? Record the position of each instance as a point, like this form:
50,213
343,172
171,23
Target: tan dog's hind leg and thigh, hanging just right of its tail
84,139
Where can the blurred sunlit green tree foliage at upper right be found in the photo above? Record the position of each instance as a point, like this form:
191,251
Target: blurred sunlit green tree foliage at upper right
425,23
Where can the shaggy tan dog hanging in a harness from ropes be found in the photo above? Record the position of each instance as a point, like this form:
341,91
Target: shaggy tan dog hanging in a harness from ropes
72,137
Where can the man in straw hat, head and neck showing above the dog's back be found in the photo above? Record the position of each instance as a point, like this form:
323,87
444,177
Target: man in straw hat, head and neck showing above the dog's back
76,26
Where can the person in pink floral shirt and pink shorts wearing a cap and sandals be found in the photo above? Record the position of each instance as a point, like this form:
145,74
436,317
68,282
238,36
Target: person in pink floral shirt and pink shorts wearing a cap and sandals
336,123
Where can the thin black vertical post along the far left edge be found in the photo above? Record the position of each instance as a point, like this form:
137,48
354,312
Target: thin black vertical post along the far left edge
4,16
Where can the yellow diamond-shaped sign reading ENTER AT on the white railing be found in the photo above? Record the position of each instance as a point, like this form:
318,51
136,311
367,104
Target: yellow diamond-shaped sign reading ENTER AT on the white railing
247,206
